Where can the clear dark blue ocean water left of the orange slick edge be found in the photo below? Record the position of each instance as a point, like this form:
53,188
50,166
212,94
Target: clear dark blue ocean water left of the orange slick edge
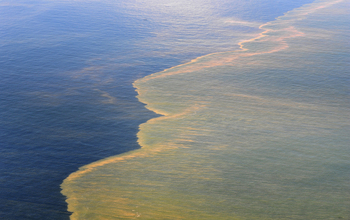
67,70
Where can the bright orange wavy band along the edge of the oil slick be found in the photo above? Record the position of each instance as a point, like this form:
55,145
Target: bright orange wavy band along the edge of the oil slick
276,32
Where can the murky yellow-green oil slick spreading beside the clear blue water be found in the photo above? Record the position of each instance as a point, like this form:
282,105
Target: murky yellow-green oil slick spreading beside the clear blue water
259,133
